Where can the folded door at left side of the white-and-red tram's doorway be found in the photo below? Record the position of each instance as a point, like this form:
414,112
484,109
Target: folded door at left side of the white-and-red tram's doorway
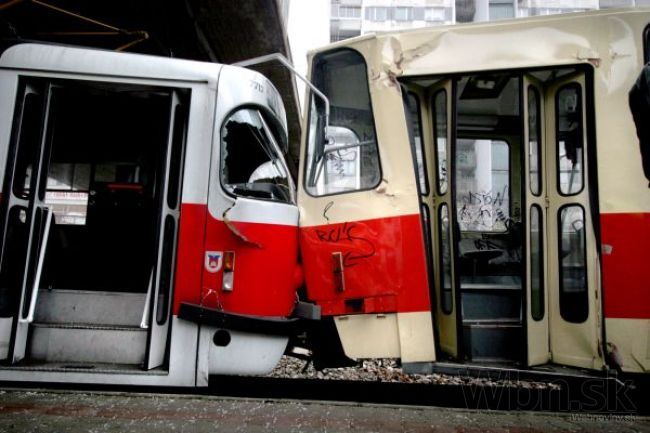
27,221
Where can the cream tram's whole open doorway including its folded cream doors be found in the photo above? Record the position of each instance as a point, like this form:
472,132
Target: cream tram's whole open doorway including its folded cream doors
505,178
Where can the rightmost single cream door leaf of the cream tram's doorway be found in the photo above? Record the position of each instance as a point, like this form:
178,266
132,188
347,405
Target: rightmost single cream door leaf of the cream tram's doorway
573,264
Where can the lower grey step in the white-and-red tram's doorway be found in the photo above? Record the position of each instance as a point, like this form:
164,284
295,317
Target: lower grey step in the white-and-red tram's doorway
57,342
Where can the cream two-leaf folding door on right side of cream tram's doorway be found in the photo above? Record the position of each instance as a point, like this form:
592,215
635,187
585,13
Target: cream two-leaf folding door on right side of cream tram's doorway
563,290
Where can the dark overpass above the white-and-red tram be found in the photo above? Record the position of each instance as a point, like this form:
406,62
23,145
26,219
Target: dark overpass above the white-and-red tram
224,31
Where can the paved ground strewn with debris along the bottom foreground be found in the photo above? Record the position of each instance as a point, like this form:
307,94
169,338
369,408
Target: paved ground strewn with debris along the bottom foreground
83,411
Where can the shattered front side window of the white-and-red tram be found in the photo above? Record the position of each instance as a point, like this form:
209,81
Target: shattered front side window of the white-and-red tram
251,162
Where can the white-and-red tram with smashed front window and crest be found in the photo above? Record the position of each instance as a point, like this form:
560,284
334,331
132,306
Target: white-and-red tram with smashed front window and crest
148,221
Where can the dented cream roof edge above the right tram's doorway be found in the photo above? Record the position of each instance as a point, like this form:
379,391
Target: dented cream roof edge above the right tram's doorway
596,37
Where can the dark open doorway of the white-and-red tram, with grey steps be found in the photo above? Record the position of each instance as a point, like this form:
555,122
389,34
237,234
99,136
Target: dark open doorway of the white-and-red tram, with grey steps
89,223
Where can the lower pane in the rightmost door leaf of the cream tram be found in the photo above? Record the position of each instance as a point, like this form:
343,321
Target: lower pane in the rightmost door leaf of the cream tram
573,267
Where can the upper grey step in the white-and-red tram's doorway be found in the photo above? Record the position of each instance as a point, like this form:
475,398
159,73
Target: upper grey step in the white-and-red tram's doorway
78,306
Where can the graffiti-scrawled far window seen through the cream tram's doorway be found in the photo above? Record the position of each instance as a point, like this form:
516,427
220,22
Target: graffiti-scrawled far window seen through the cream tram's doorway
483,185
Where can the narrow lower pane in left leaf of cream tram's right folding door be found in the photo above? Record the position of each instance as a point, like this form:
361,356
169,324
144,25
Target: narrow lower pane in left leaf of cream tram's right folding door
536,263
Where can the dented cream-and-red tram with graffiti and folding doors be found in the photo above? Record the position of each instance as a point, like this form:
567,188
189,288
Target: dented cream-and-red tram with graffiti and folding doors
478,200
